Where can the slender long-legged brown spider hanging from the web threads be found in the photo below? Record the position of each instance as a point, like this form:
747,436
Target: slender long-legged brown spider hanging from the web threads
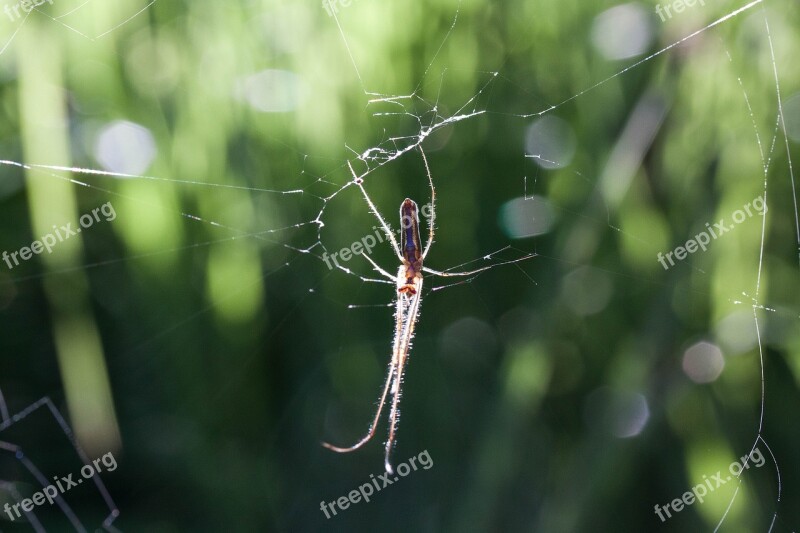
408,283
